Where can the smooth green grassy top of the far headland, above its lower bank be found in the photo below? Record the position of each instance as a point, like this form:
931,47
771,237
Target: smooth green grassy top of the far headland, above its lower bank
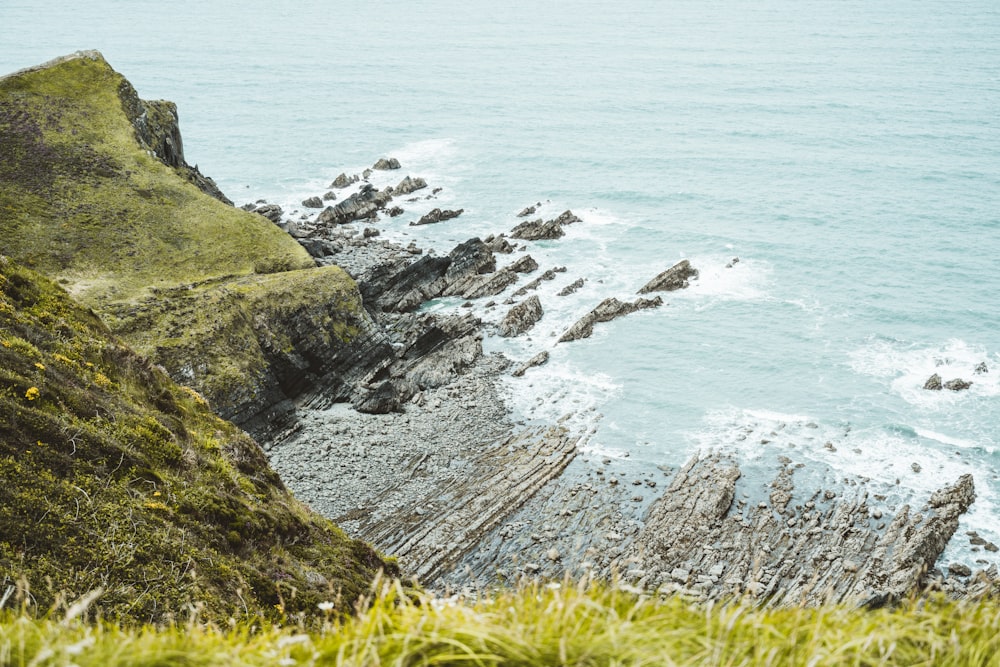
84,198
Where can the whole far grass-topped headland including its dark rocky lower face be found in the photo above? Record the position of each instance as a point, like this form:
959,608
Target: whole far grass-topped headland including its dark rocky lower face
95,193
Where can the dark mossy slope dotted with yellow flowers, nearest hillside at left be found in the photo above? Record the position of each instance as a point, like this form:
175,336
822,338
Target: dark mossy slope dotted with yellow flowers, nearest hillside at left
114,478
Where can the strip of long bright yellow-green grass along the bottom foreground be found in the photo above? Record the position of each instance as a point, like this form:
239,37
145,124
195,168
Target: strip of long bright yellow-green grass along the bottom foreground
535,625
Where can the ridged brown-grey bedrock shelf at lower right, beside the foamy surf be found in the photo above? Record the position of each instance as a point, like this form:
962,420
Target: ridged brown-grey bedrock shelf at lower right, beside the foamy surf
799,548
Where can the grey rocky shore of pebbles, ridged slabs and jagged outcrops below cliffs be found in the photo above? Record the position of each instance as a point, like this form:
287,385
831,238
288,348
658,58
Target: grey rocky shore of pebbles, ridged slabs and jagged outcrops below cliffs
428,464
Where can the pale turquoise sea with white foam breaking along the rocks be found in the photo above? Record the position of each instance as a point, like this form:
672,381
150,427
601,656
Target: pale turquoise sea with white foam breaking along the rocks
848,153
